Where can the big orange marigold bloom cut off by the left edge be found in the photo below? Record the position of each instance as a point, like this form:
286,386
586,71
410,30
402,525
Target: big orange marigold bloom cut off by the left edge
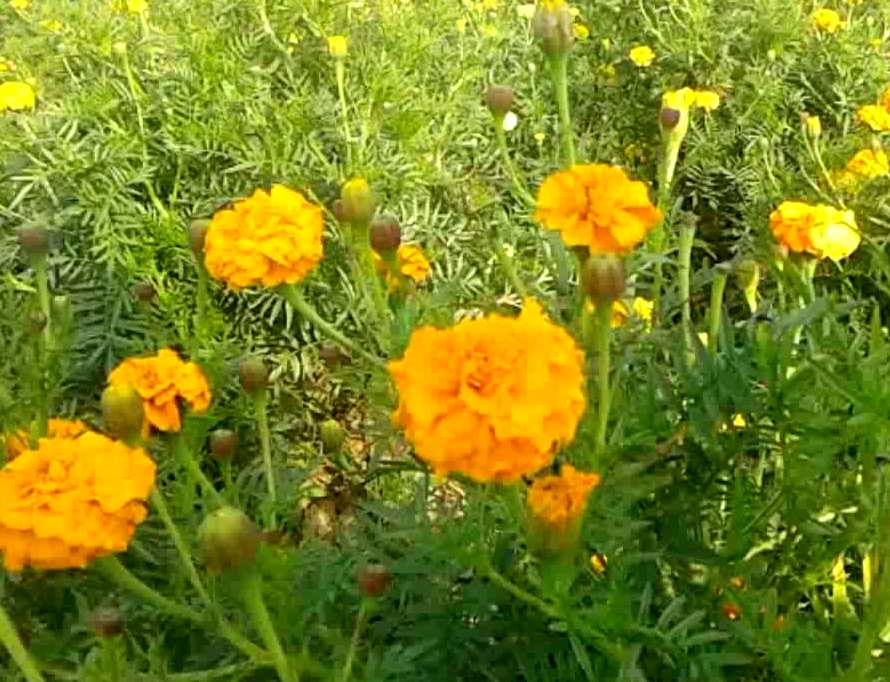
70,501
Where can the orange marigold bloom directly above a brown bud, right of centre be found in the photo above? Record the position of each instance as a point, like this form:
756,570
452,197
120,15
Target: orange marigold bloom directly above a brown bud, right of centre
596,206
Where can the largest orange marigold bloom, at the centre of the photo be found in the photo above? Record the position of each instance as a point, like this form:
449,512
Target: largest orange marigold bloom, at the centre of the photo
490,398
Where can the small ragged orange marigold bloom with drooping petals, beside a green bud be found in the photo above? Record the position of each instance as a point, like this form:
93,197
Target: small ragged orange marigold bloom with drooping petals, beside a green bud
161,380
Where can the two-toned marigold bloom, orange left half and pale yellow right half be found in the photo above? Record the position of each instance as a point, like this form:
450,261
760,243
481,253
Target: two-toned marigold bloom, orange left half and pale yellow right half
820,230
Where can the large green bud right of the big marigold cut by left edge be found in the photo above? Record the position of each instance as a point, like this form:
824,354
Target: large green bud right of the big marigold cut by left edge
228,540
